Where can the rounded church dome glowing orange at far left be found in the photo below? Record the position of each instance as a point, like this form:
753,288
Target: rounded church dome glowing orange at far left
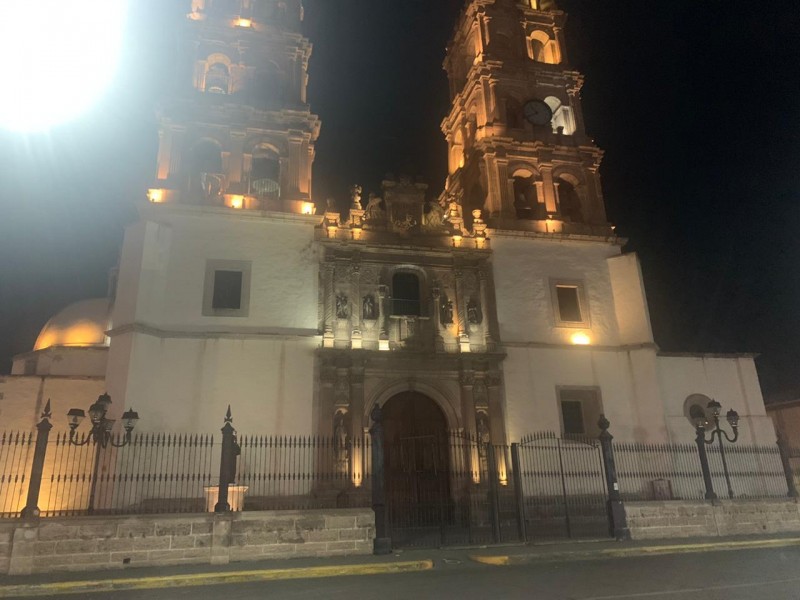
81,324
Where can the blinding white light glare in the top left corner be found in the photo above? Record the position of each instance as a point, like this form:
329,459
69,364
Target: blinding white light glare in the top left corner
60,55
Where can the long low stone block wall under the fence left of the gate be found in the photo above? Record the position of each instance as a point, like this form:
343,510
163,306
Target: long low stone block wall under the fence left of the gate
90,543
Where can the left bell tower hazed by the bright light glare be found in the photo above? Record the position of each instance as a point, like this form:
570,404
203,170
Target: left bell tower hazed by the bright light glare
236,130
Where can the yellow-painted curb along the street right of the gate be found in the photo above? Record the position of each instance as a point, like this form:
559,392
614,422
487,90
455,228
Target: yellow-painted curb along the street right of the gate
519,559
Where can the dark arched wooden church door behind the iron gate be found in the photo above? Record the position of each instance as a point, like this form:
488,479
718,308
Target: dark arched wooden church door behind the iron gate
417,468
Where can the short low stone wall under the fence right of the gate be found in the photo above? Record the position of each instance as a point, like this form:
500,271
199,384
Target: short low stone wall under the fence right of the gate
678,518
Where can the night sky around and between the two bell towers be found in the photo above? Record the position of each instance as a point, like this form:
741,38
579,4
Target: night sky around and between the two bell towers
697,105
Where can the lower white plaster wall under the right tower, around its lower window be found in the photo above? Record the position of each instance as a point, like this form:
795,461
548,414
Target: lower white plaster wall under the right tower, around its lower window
627,382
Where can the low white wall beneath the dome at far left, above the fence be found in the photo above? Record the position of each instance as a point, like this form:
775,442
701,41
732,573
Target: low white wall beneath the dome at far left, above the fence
24,397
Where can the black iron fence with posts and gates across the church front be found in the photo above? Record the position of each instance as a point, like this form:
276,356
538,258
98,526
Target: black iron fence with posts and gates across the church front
431,490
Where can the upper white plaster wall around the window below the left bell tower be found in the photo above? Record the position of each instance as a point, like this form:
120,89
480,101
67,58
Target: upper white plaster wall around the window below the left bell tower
164,264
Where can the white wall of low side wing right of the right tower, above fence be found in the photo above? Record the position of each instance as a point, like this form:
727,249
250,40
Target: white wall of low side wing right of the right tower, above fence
733,382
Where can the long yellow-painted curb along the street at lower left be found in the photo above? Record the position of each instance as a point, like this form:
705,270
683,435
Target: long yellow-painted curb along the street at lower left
201,579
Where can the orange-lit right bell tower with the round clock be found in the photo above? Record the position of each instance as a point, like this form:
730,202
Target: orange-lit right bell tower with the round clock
515,133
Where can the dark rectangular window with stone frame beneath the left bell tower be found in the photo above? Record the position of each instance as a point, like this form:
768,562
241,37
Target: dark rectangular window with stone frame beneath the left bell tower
226,292
